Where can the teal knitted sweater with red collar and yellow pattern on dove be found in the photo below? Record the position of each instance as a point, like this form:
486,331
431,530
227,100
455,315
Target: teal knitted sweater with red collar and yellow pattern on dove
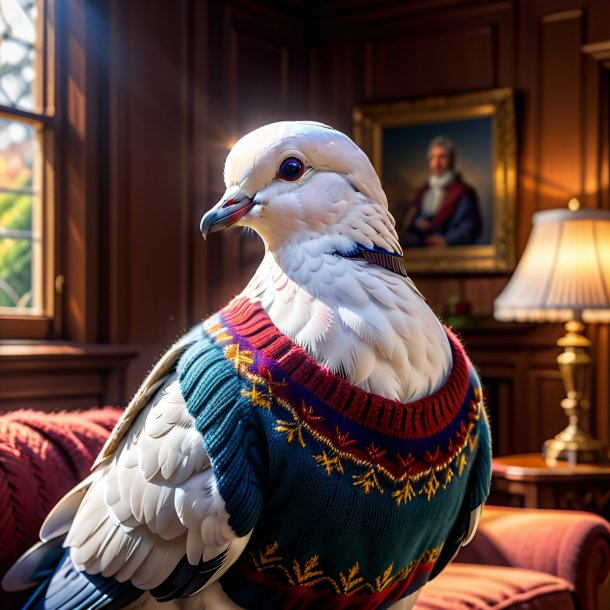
351,496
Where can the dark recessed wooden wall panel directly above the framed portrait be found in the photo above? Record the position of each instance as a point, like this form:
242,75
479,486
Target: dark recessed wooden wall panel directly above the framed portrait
442,52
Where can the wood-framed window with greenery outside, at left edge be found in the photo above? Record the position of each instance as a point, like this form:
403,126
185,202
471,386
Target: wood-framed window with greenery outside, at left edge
26,123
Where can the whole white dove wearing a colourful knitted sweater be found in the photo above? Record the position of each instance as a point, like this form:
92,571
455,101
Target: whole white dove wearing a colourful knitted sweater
320,442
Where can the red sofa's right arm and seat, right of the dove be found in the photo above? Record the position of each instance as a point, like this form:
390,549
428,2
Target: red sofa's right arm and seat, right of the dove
528,559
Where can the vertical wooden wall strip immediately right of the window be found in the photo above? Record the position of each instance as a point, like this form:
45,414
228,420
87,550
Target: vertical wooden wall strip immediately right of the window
78,195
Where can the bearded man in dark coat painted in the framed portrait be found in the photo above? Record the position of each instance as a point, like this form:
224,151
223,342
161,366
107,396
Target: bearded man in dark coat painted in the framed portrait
445,211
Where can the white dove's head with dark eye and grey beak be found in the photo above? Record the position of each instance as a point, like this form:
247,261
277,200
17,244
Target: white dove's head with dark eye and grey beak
304,182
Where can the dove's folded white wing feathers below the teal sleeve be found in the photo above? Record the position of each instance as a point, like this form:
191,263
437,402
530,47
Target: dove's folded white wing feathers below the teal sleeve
155,503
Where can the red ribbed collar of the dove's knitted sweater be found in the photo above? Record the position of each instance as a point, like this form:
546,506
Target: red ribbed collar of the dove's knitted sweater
249,320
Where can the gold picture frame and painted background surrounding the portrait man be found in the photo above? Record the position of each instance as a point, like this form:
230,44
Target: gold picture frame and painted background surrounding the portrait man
481,127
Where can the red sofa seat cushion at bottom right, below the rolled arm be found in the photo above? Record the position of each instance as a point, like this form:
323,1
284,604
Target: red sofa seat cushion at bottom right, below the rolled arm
477,587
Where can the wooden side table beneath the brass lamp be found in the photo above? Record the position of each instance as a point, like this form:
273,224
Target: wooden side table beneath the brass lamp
526,480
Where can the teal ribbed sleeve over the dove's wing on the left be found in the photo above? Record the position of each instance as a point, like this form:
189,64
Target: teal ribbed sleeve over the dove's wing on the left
223,416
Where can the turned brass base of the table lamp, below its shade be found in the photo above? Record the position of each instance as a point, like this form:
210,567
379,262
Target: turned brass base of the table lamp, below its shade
574,444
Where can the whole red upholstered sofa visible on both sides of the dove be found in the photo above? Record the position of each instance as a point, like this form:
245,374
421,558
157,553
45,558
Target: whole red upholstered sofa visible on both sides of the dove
519,559
